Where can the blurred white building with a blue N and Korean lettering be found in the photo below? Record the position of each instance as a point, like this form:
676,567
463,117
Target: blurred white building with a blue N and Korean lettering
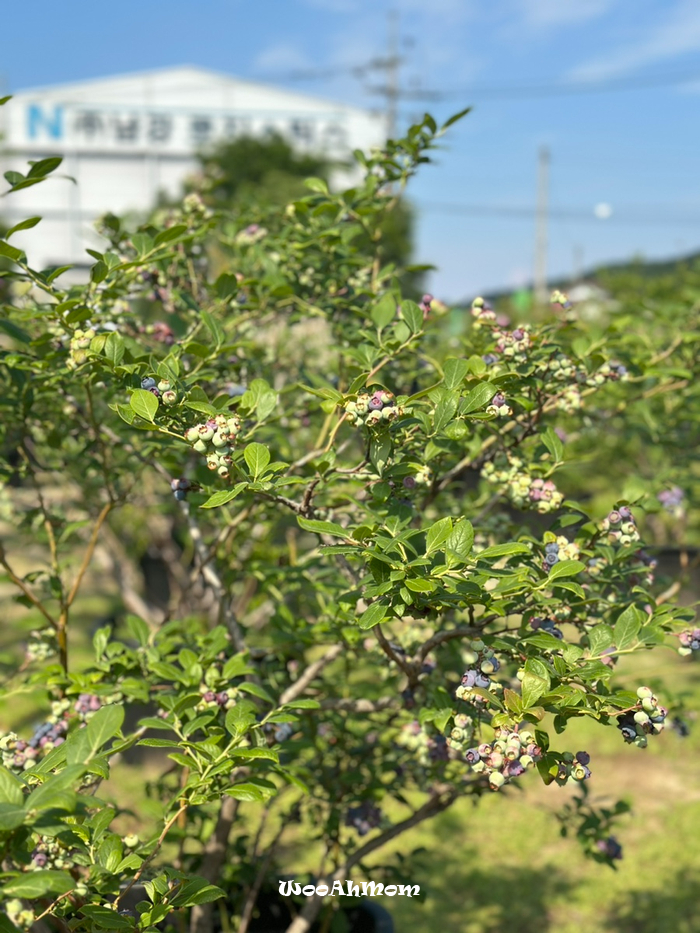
125,139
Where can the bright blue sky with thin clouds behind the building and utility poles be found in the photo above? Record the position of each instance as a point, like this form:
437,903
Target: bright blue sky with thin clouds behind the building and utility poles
636,149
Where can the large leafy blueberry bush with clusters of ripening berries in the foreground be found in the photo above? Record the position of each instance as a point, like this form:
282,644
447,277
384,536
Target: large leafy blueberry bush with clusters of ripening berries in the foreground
378,598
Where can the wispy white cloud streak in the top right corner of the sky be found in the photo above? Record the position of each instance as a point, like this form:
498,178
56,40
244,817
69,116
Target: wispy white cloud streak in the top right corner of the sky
679,34
